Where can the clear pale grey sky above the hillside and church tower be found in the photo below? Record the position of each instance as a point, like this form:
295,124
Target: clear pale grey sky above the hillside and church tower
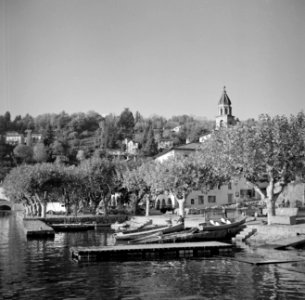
164,57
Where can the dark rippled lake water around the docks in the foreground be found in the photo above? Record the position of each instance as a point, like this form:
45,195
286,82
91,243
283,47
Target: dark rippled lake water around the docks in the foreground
42,269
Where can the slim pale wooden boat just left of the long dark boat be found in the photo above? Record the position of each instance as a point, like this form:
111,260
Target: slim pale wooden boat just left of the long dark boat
157,229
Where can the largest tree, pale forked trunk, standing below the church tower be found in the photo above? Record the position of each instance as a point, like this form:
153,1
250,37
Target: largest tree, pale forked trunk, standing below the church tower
271,149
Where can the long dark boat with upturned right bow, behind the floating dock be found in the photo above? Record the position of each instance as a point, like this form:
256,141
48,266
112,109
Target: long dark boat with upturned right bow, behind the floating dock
205,232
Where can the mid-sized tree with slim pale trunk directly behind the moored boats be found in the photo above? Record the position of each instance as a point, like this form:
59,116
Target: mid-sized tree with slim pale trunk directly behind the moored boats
179,176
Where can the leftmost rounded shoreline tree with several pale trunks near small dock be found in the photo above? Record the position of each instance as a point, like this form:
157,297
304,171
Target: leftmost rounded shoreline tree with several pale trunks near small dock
36,185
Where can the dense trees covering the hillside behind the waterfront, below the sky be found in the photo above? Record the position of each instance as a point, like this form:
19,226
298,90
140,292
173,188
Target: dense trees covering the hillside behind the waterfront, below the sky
67,137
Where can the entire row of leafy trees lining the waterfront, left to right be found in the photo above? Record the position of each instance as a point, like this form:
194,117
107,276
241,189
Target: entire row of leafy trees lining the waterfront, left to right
269,149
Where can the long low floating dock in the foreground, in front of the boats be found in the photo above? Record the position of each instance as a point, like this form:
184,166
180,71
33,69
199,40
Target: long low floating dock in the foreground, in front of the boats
150,251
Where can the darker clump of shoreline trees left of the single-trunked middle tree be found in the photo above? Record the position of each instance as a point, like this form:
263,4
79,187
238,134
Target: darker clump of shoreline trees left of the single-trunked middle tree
88,185
